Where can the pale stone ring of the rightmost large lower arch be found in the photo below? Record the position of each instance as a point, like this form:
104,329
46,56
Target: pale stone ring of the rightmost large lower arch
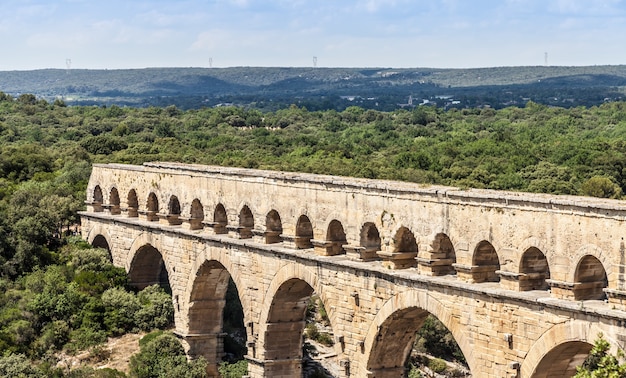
546,350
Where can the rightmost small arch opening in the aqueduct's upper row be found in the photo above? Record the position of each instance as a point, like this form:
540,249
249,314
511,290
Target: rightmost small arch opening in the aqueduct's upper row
590,279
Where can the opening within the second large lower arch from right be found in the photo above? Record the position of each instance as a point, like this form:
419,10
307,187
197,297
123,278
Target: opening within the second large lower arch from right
408,340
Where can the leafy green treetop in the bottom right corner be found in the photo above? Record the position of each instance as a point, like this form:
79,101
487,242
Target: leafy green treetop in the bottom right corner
600,363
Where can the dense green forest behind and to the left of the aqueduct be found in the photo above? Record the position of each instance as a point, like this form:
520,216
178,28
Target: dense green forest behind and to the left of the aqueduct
58,294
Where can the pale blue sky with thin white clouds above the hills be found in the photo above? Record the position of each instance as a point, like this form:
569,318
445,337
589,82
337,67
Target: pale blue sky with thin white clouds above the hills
117,34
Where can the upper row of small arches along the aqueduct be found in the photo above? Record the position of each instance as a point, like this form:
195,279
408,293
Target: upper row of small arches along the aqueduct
589,280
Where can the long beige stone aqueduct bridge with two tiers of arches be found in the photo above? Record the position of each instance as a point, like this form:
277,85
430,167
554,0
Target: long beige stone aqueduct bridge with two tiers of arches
524,282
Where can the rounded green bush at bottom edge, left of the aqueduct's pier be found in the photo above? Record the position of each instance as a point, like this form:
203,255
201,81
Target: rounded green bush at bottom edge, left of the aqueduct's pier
164,356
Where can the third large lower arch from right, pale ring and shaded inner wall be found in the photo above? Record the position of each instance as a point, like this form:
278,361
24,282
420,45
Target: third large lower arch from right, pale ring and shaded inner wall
282,318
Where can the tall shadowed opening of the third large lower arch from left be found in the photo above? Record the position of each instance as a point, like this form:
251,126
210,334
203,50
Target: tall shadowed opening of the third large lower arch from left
215,310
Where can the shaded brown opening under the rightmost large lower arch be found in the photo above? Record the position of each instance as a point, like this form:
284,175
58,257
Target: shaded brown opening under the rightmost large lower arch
563,360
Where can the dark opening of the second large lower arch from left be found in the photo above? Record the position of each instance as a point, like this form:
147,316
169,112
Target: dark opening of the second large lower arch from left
148,268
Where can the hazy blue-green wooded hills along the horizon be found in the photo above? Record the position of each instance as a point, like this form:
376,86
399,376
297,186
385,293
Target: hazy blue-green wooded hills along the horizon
323,88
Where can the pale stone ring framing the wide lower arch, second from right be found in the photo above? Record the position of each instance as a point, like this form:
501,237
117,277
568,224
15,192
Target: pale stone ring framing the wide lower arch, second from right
405,302
